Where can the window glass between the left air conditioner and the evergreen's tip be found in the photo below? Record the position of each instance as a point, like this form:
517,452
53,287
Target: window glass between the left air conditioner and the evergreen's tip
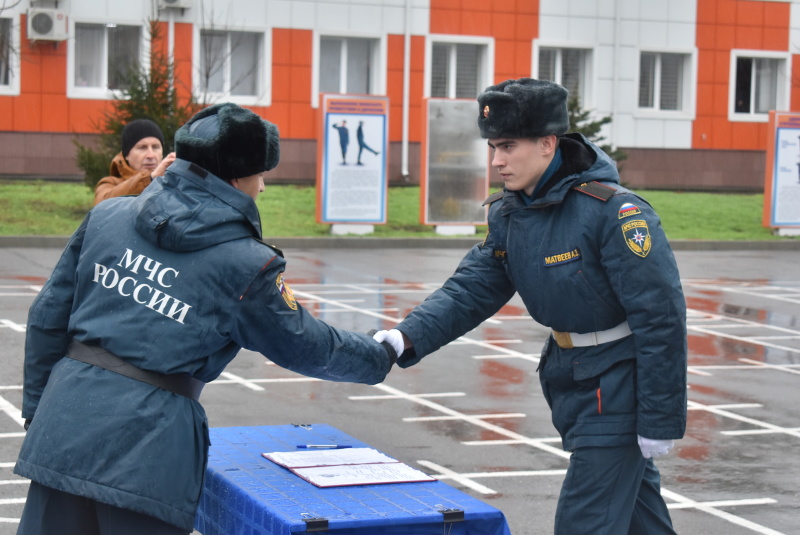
105,55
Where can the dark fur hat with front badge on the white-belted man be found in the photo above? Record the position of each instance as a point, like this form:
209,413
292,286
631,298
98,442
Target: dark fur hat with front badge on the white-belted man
524,108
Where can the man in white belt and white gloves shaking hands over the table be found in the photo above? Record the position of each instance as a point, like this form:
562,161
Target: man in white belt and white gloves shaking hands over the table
590,261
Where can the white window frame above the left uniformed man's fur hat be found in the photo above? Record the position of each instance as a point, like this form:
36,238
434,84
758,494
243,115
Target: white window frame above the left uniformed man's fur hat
264,96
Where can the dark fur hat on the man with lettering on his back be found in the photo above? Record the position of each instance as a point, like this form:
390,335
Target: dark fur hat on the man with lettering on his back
229,141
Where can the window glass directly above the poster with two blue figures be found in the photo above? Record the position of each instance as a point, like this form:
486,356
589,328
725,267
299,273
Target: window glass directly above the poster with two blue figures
347,65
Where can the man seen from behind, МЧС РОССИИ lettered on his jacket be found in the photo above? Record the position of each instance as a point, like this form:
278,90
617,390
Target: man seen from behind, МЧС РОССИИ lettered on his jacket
152,298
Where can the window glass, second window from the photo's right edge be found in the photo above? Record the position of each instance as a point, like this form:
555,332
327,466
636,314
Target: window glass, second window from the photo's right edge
662,80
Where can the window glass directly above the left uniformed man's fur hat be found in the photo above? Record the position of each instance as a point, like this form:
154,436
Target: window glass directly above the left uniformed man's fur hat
230,63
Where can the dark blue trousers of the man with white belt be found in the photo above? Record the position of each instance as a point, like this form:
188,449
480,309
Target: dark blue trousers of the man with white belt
612,491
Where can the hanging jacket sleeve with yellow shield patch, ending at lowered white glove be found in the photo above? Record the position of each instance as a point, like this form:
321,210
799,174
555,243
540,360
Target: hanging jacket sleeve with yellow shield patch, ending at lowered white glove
641,268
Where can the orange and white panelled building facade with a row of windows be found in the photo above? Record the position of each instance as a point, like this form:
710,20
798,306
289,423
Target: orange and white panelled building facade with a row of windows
688,83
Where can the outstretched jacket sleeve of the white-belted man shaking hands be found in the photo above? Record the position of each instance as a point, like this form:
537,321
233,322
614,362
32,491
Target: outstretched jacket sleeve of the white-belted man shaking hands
476,291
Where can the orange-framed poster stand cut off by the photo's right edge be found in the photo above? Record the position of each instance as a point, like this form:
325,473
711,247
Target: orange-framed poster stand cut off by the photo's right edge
782,177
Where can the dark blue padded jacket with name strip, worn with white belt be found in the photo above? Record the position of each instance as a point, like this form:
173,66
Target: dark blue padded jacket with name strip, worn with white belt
582,260
